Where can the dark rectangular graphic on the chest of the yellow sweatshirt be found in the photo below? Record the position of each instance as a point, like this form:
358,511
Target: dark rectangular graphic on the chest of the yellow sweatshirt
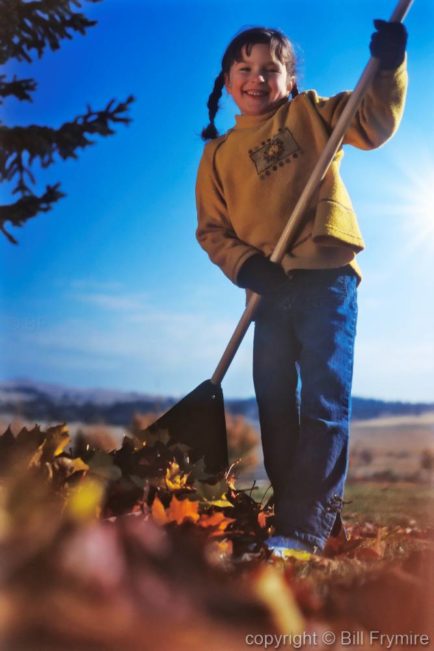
274,152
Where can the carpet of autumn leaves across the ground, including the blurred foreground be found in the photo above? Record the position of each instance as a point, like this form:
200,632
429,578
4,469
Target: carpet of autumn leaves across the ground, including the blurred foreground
139,548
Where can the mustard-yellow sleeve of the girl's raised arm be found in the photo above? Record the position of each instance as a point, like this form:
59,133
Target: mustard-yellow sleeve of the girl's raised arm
379,113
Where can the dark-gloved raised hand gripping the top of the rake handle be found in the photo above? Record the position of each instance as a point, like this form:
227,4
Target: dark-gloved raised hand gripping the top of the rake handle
388,43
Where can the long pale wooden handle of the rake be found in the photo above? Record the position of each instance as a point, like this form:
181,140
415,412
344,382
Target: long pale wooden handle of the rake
315,178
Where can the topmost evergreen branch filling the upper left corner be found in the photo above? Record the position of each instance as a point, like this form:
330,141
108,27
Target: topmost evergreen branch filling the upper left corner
26,26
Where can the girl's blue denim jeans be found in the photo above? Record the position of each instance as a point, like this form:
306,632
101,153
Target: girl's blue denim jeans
302,370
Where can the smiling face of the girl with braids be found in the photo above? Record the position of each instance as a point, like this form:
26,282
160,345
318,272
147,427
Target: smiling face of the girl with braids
258,82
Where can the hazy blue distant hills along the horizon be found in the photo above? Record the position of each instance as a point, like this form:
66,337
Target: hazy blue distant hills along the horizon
37,401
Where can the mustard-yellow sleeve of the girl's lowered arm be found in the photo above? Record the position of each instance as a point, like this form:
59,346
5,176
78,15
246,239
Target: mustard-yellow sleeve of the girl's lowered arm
214,232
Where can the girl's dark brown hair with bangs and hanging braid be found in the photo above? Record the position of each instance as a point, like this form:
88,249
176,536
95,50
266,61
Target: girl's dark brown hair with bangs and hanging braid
280,48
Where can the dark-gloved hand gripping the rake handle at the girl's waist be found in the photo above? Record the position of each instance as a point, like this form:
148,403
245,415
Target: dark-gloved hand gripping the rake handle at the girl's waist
261,275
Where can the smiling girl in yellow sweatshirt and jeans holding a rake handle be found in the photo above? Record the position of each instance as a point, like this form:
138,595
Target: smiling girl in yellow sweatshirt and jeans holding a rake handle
248,182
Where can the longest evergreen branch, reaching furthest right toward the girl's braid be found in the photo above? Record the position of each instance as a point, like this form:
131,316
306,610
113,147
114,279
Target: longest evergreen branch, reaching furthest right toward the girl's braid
21,146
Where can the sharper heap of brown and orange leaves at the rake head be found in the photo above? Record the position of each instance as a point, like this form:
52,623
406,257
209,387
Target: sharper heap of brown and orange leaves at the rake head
147,476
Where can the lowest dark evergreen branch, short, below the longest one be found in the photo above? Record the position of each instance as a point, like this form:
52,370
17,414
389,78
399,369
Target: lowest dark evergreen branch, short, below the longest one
27,207
